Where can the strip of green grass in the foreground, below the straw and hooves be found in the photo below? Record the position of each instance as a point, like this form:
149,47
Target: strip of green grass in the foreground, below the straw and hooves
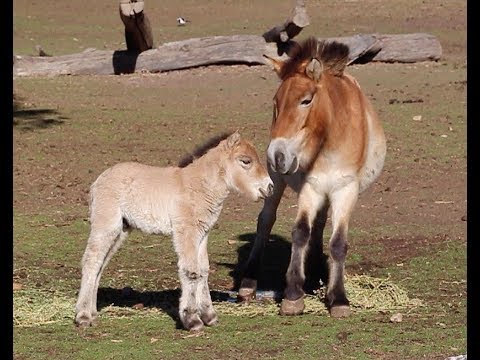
307,336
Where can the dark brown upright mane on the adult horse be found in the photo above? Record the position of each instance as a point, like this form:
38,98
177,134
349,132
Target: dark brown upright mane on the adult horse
333,56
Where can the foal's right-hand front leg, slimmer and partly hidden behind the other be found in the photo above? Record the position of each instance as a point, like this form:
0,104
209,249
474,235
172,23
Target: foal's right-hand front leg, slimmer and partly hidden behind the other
204,300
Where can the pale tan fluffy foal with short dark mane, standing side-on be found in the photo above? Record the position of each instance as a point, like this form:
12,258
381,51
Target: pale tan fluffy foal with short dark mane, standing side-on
184,202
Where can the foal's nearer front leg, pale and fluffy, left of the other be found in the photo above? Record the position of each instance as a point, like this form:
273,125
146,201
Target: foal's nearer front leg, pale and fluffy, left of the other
187,248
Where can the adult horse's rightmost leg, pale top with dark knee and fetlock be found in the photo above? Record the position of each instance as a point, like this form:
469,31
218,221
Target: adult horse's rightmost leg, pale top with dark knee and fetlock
343,202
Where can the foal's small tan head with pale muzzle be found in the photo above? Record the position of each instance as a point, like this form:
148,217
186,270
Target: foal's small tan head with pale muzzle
244,172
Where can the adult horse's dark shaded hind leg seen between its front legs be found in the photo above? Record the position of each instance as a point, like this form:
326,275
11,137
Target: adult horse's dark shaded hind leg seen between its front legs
316,266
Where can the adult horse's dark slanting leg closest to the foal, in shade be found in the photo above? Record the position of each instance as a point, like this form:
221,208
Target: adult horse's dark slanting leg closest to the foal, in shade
265,222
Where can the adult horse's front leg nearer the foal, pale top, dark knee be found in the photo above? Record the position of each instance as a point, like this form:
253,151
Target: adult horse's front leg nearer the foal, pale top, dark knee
309,201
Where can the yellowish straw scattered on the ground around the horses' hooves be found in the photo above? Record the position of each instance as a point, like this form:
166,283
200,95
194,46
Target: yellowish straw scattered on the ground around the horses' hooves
40,307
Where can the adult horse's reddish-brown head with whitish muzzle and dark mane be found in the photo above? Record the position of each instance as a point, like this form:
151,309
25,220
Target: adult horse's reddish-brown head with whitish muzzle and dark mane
300,114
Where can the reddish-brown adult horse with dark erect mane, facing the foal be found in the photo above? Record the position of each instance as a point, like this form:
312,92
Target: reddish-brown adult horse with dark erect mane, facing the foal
328,145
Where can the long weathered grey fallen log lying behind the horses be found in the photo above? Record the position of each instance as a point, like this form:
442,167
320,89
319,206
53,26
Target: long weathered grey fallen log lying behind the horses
223,50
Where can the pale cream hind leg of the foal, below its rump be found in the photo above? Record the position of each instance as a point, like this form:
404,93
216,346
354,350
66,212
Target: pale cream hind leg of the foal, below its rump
100,243
